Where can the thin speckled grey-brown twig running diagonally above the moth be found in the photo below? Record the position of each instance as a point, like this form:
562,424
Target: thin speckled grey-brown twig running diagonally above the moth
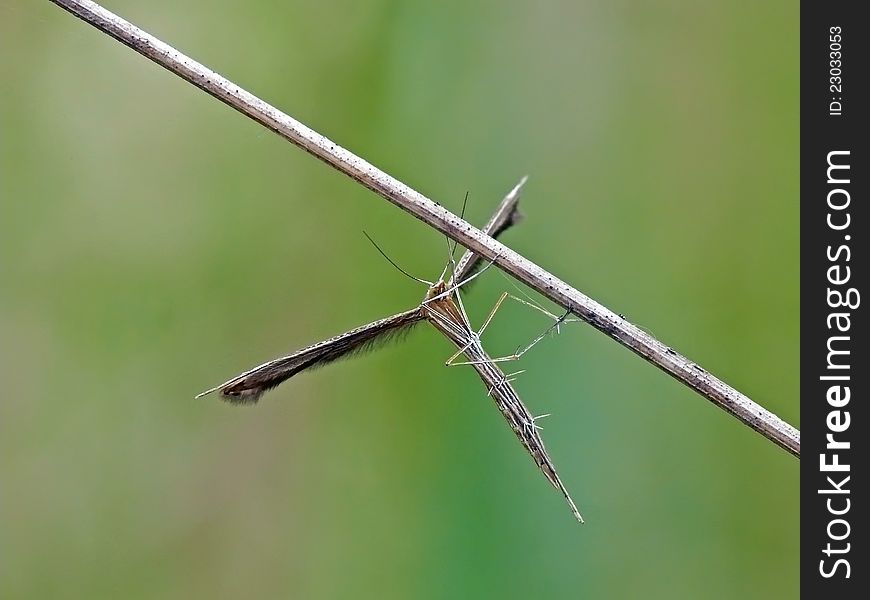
678,366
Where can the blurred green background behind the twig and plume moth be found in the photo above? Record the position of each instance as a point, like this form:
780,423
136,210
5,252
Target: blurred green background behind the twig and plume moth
155,243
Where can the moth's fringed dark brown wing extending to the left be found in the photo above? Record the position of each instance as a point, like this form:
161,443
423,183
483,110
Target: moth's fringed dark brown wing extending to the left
250,385
